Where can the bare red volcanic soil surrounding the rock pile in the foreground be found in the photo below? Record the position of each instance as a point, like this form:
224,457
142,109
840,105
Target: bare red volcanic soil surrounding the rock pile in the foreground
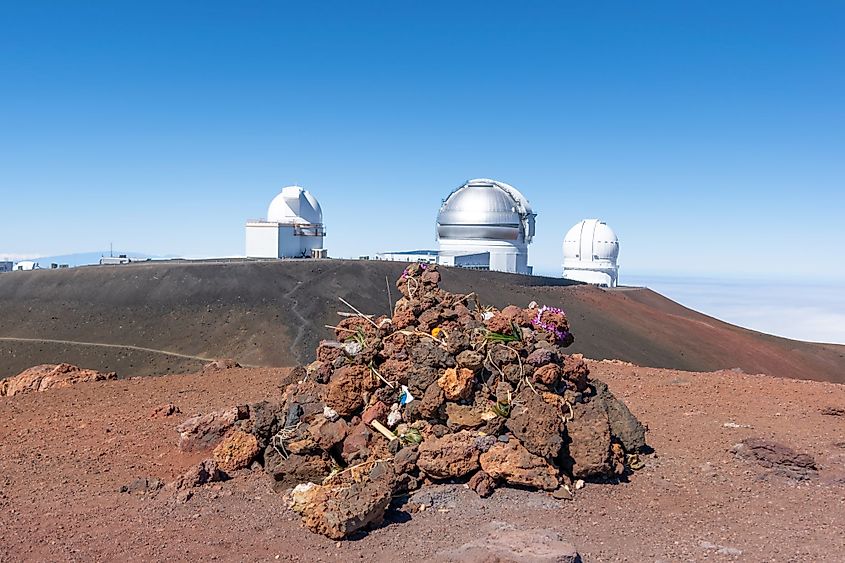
65,453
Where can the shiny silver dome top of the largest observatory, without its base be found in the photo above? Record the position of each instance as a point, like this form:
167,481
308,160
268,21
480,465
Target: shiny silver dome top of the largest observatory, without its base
486,209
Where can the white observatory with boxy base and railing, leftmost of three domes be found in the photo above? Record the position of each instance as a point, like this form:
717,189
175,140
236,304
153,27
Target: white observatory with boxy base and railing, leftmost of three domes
293,228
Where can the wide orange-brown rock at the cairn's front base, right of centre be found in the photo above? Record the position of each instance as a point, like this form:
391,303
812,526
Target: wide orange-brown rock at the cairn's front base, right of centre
514,464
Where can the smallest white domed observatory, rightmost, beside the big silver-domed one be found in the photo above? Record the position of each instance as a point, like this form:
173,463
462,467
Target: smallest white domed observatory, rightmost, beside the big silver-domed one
590,251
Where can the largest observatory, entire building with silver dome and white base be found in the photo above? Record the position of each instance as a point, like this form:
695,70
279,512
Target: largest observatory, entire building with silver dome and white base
486,224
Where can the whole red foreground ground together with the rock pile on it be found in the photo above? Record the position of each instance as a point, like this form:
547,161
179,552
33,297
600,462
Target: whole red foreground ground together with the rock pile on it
247,463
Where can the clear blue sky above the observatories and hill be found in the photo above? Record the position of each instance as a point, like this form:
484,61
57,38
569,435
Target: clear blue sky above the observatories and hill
710,135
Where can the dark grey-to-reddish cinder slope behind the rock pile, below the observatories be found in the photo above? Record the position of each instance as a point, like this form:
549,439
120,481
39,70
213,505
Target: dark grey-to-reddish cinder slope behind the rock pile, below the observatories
162,317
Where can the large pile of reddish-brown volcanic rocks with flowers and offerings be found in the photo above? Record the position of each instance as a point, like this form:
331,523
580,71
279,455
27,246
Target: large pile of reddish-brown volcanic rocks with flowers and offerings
445,390
